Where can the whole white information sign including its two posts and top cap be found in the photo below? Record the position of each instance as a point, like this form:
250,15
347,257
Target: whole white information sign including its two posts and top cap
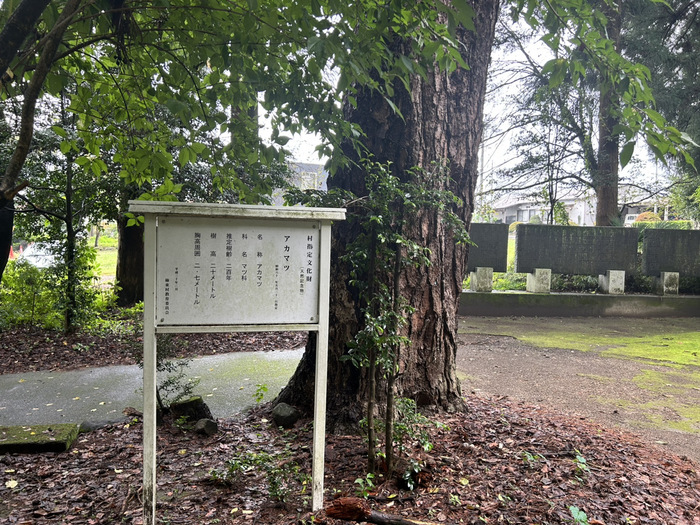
234,268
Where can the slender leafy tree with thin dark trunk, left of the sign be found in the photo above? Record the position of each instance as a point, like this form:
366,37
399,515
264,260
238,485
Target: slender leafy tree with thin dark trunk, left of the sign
58,205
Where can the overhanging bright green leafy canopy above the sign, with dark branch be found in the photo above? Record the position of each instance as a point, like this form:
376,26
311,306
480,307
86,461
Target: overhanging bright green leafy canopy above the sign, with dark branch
130,58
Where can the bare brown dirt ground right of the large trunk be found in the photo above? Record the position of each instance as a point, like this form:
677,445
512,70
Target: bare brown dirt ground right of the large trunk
610,391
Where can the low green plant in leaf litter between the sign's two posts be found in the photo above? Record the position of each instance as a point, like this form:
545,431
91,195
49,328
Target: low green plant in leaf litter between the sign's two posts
280,471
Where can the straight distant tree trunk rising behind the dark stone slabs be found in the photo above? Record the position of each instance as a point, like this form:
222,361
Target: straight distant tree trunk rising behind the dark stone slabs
606,176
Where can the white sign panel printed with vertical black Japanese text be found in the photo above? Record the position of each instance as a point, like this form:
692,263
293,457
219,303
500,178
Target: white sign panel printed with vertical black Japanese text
222,271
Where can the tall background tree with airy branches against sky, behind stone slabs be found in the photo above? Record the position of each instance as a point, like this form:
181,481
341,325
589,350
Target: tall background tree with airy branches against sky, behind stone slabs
575,89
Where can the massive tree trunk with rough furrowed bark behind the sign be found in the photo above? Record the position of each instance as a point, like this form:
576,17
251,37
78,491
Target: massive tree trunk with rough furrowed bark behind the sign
442,123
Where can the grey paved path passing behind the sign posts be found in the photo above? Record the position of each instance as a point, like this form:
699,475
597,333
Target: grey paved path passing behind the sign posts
227,384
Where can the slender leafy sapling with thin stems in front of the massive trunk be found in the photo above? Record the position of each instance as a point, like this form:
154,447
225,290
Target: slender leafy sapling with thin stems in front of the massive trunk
376,259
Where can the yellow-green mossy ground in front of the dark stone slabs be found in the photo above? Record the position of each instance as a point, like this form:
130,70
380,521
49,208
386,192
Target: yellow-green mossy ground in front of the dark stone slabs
668,350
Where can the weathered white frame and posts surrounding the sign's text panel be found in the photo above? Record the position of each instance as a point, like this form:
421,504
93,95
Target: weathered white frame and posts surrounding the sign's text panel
152,212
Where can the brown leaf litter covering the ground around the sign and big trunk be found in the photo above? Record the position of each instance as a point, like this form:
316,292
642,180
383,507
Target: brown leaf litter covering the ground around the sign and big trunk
499,461
